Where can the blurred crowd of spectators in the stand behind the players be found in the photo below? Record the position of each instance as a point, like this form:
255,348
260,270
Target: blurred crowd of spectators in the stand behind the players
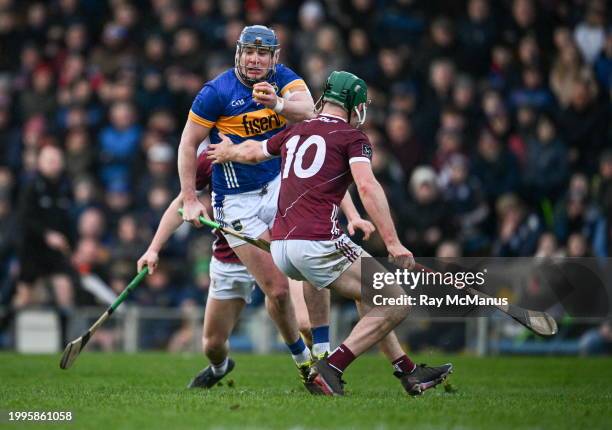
490,122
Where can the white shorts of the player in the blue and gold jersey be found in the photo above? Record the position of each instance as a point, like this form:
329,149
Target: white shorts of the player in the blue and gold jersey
251,213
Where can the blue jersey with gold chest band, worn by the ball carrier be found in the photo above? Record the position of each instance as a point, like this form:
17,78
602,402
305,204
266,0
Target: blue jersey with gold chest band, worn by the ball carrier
226,105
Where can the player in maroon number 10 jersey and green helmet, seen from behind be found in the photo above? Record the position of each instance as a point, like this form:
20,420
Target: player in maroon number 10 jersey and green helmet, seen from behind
321,157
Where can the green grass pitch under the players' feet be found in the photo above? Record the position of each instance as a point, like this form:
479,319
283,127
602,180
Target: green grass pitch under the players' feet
147,391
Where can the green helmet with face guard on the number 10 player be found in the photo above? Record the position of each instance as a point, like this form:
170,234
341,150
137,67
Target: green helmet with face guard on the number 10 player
348,91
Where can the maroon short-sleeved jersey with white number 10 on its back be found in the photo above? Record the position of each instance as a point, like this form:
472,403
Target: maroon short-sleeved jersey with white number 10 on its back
315,174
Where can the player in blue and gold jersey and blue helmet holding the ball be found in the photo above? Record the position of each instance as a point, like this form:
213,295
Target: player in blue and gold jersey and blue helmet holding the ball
253,100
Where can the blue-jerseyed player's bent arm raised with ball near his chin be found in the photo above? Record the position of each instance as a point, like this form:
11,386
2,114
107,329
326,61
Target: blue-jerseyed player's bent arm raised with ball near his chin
296,105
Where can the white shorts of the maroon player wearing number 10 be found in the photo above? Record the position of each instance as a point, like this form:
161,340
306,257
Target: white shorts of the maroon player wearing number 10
320,262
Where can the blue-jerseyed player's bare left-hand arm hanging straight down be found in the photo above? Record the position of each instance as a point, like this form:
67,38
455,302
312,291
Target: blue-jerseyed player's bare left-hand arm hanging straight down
192,135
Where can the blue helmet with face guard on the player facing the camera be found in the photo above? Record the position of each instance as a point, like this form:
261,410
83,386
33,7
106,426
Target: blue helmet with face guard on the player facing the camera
260,38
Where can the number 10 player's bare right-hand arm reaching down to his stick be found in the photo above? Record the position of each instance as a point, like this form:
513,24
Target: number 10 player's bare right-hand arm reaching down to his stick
376,205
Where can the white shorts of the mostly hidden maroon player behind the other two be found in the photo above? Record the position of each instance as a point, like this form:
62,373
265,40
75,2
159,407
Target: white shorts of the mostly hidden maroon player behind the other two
230,281
